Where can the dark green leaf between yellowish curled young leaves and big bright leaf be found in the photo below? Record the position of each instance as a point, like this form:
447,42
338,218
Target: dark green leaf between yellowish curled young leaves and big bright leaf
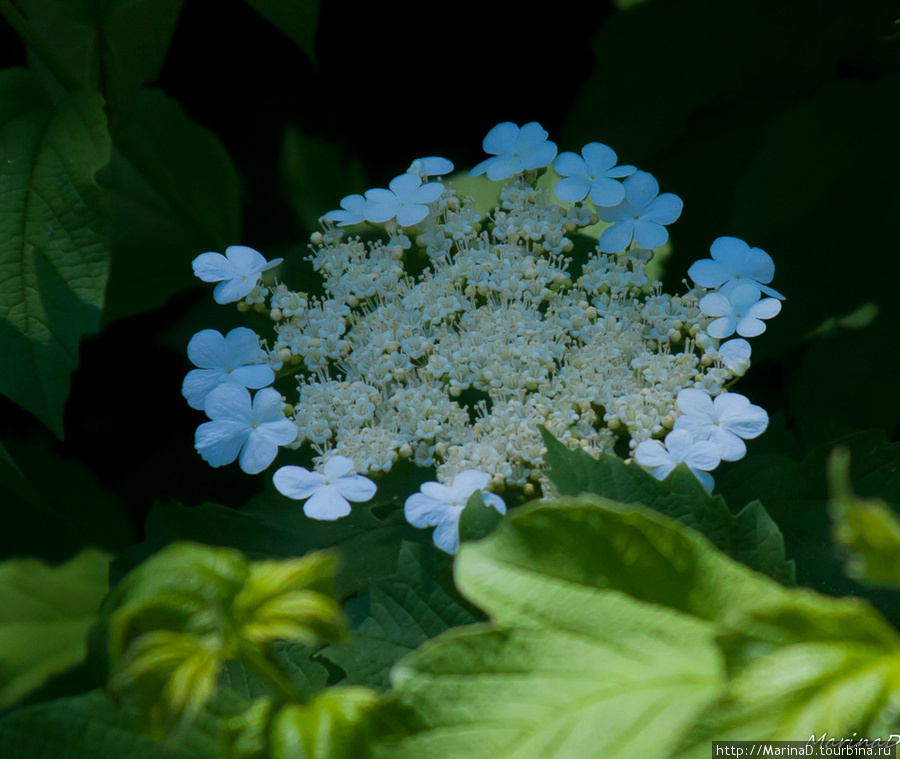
402,612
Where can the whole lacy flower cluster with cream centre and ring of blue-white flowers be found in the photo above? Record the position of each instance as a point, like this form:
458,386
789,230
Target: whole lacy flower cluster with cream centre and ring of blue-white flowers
451,340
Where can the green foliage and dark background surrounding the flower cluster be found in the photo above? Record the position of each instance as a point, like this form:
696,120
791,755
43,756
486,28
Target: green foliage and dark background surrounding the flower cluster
153,607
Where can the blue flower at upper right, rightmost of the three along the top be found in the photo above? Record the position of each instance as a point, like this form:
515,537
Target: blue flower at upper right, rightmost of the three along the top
641,216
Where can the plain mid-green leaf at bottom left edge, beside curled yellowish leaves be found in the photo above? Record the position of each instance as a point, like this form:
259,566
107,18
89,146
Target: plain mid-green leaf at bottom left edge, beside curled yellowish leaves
45,614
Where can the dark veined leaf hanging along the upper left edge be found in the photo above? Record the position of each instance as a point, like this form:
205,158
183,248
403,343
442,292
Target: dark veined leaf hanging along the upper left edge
53,258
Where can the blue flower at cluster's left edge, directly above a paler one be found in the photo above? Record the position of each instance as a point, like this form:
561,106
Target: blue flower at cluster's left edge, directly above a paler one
232,358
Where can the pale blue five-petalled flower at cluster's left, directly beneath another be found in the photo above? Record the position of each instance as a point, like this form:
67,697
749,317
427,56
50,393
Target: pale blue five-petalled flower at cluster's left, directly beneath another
240,429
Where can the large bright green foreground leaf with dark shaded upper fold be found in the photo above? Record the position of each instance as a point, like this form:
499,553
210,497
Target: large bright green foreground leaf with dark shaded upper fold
574,665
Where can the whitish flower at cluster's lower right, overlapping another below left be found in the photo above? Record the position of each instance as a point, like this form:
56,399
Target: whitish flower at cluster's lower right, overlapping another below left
726,420
